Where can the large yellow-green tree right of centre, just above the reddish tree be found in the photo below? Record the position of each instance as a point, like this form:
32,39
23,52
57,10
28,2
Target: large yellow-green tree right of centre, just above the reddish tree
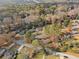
52,29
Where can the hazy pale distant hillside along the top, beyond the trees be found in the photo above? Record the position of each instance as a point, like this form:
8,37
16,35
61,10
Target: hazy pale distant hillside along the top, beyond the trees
2,2
